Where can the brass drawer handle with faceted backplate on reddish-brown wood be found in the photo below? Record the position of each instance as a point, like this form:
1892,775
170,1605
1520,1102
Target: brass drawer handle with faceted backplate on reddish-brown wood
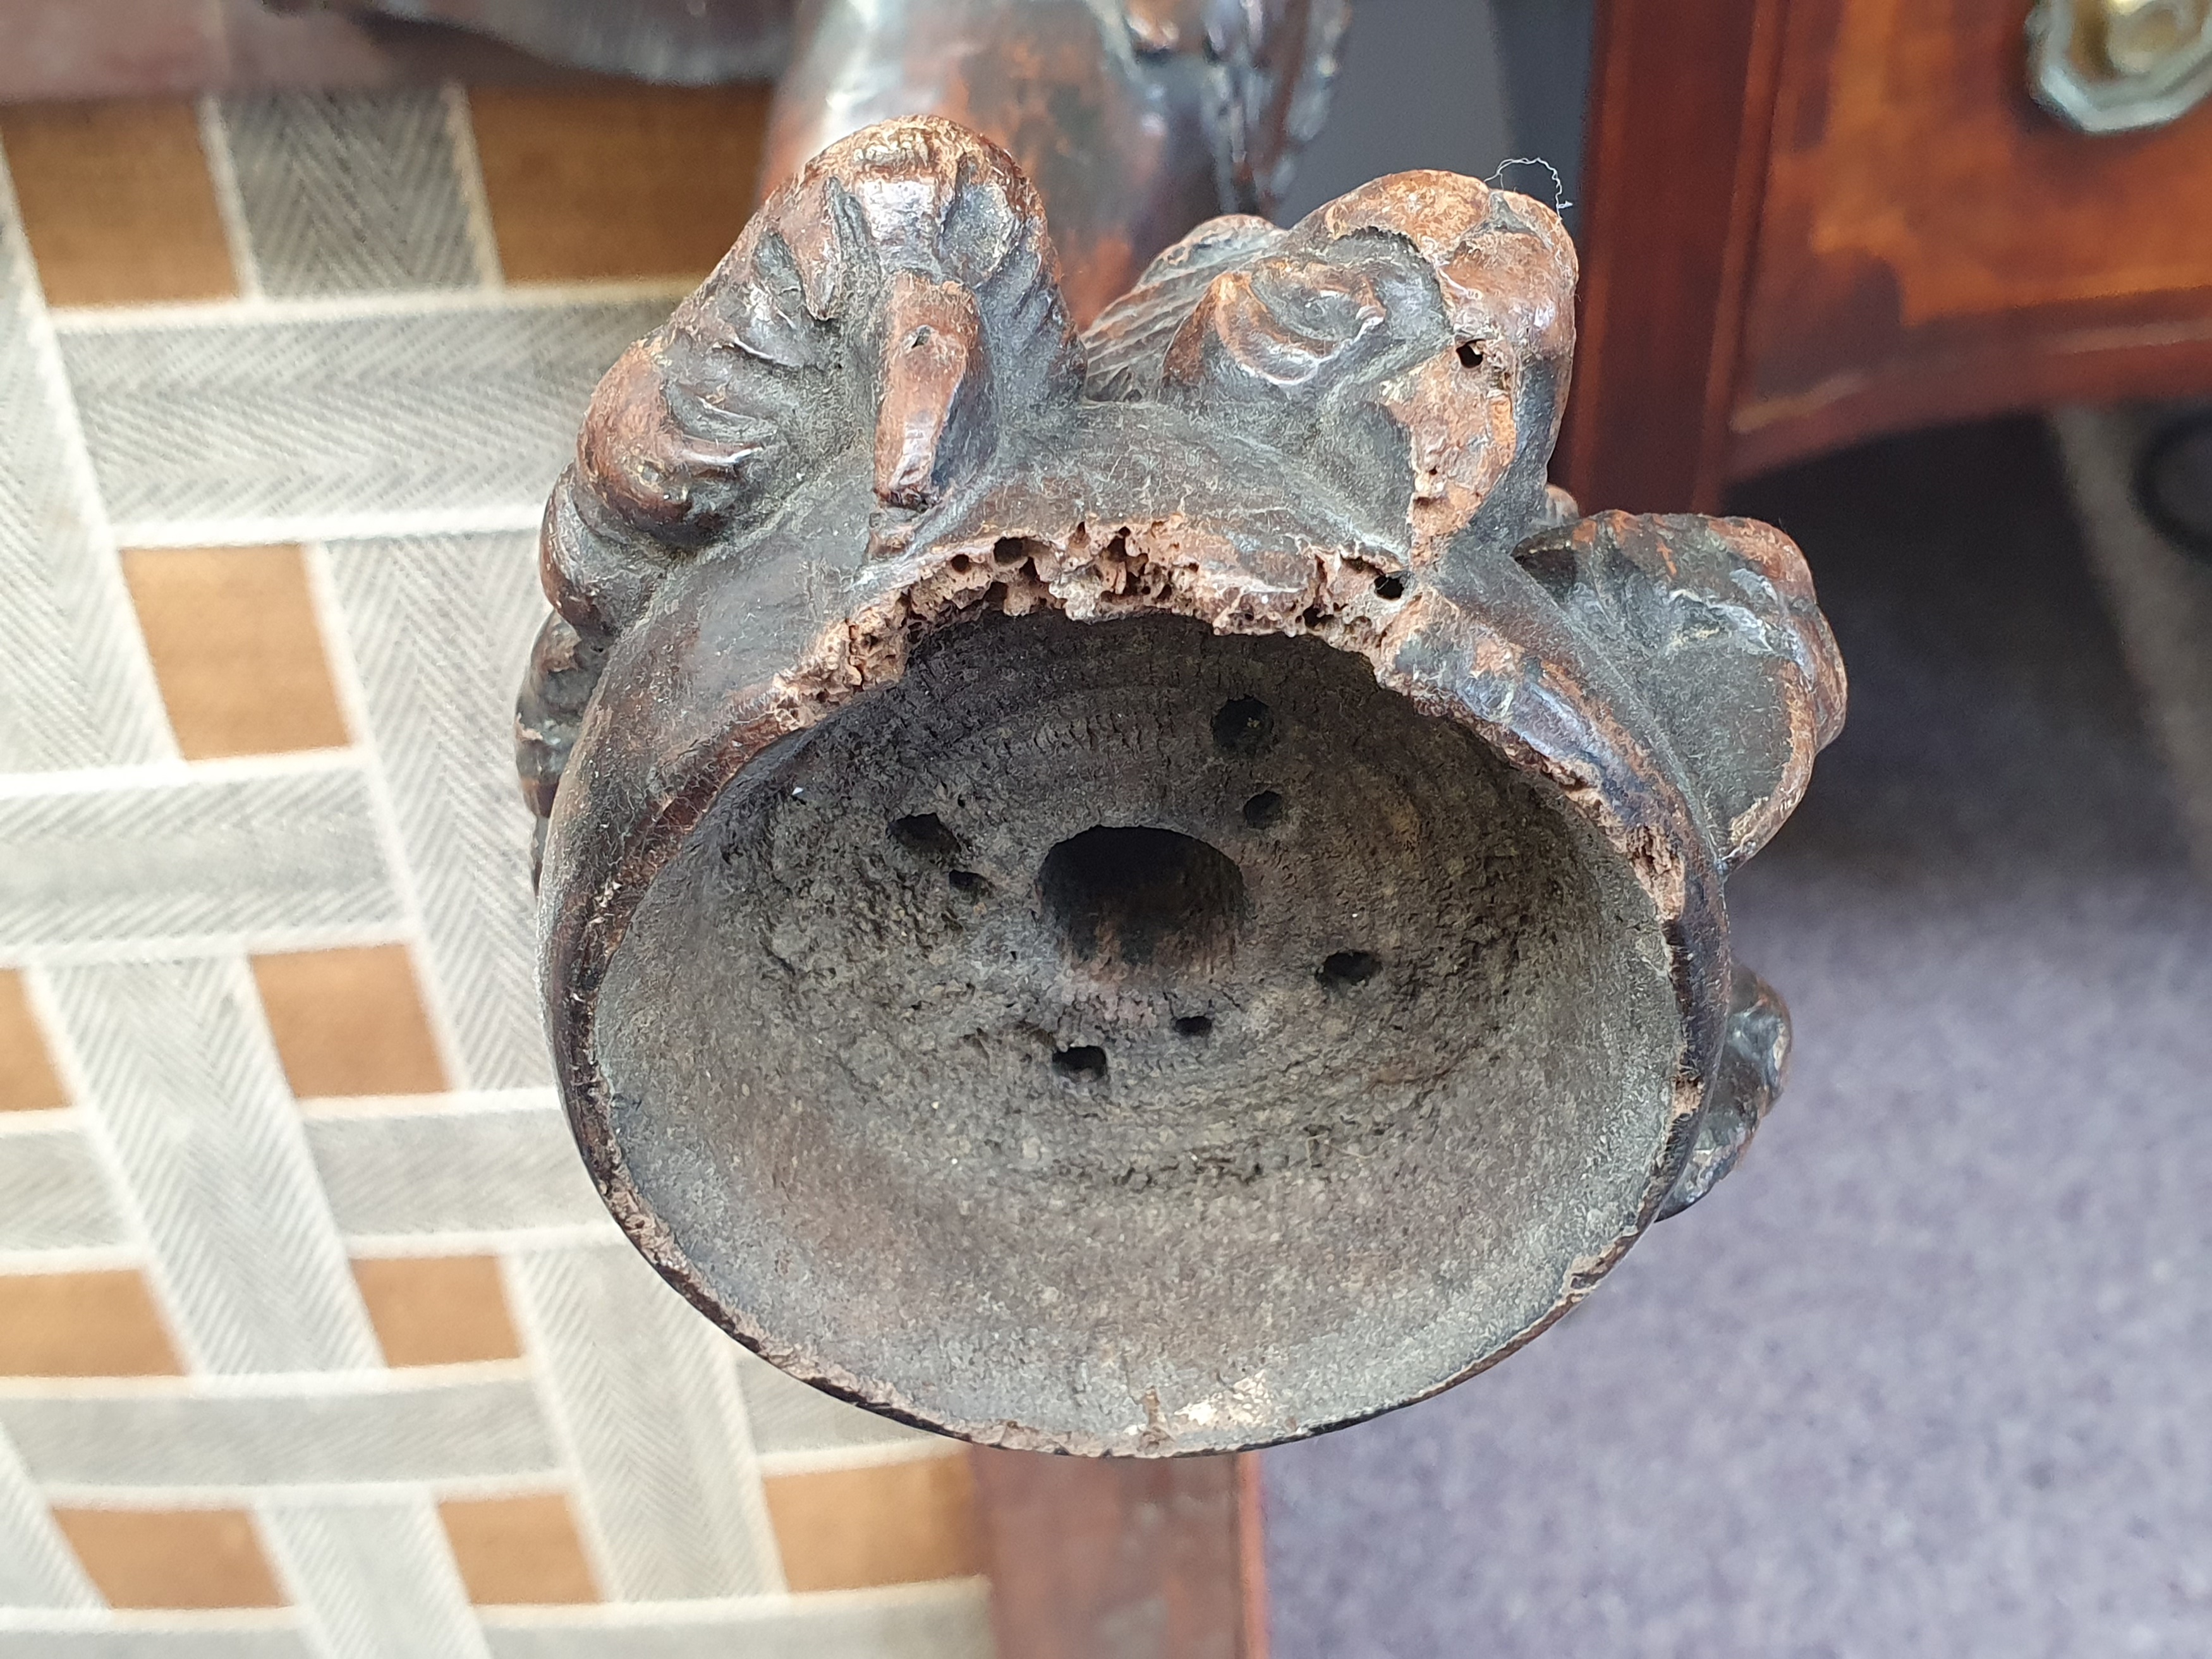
2120,65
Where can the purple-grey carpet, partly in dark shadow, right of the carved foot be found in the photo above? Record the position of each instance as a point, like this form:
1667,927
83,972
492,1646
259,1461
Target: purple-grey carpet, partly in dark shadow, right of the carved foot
1932,1373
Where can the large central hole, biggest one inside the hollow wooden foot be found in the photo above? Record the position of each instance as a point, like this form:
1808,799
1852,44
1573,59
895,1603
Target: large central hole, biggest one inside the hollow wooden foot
1142,899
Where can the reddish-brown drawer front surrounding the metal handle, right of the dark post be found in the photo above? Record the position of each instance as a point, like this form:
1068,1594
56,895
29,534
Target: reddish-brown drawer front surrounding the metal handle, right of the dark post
1939,247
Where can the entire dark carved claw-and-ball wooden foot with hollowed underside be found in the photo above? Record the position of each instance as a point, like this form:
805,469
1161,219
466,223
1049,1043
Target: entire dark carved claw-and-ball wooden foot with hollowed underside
1149,890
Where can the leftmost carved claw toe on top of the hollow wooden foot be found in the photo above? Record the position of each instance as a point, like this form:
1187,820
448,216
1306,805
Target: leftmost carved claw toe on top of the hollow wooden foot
879,300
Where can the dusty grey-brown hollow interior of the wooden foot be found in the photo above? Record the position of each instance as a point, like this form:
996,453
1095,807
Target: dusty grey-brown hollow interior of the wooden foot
1142,1034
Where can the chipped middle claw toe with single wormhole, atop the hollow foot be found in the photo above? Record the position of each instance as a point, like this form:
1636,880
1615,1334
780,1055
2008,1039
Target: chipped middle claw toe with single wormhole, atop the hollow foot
1434,302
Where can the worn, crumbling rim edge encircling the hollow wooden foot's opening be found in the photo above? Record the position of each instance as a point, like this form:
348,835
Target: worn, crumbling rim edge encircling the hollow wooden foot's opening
1651,831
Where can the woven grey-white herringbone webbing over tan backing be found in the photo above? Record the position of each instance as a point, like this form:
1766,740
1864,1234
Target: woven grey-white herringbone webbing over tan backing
313,1335
